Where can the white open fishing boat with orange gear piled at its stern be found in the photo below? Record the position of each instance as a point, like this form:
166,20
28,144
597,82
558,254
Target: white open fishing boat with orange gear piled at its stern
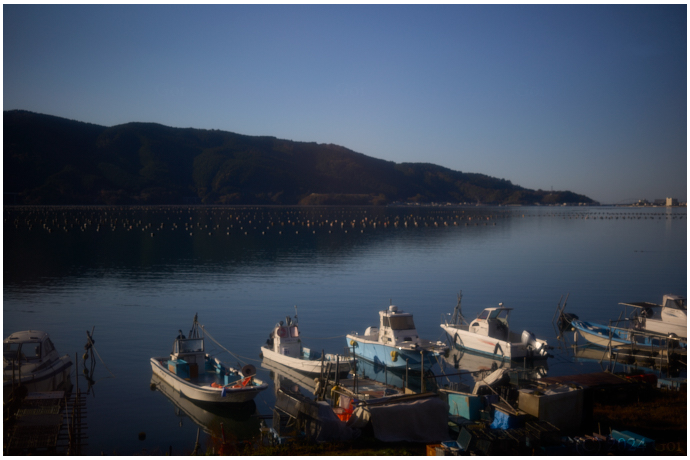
190,371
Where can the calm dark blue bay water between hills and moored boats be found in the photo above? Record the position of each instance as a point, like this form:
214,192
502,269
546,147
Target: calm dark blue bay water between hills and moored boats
139,274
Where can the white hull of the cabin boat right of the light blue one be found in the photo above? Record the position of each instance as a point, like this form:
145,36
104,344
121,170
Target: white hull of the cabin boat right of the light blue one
497,349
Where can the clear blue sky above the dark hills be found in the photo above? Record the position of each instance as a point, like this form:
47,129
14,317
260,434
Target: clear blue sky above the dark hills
586,98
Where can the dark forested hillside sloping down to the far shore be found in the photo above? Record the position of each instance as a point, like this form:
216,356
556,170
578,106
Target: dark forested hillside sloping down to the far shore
52,160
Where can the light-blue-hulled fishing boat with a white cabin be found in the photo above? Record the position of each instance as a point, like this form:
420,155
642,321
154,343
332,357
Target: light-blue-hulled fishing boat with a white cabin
395,343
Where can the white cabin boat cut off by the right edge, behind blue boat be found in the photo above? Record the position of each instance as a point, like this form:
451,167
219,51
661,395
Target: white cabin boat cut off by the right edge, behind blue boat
671,317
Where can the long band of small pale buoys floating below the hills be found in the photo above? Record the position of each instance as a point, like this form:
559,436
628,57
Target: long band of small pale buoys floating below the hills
229,221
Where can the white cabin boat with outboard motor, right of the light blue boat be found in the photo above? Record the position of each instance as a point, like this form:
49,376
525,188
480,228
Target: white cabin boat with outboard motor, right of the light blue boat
489,333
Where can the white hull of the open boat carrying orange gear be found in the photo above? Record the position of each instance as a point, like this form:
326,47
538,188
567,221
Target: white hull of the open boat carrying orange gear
204,393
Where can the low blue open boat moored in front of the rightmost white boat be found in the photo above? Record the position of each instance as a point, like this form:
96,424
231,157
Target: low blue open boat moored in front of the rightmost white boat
618,337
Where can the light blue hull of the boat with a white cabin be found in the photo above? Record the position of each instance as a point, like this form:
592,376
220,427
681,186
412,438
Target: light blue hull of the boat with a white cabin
380,354
